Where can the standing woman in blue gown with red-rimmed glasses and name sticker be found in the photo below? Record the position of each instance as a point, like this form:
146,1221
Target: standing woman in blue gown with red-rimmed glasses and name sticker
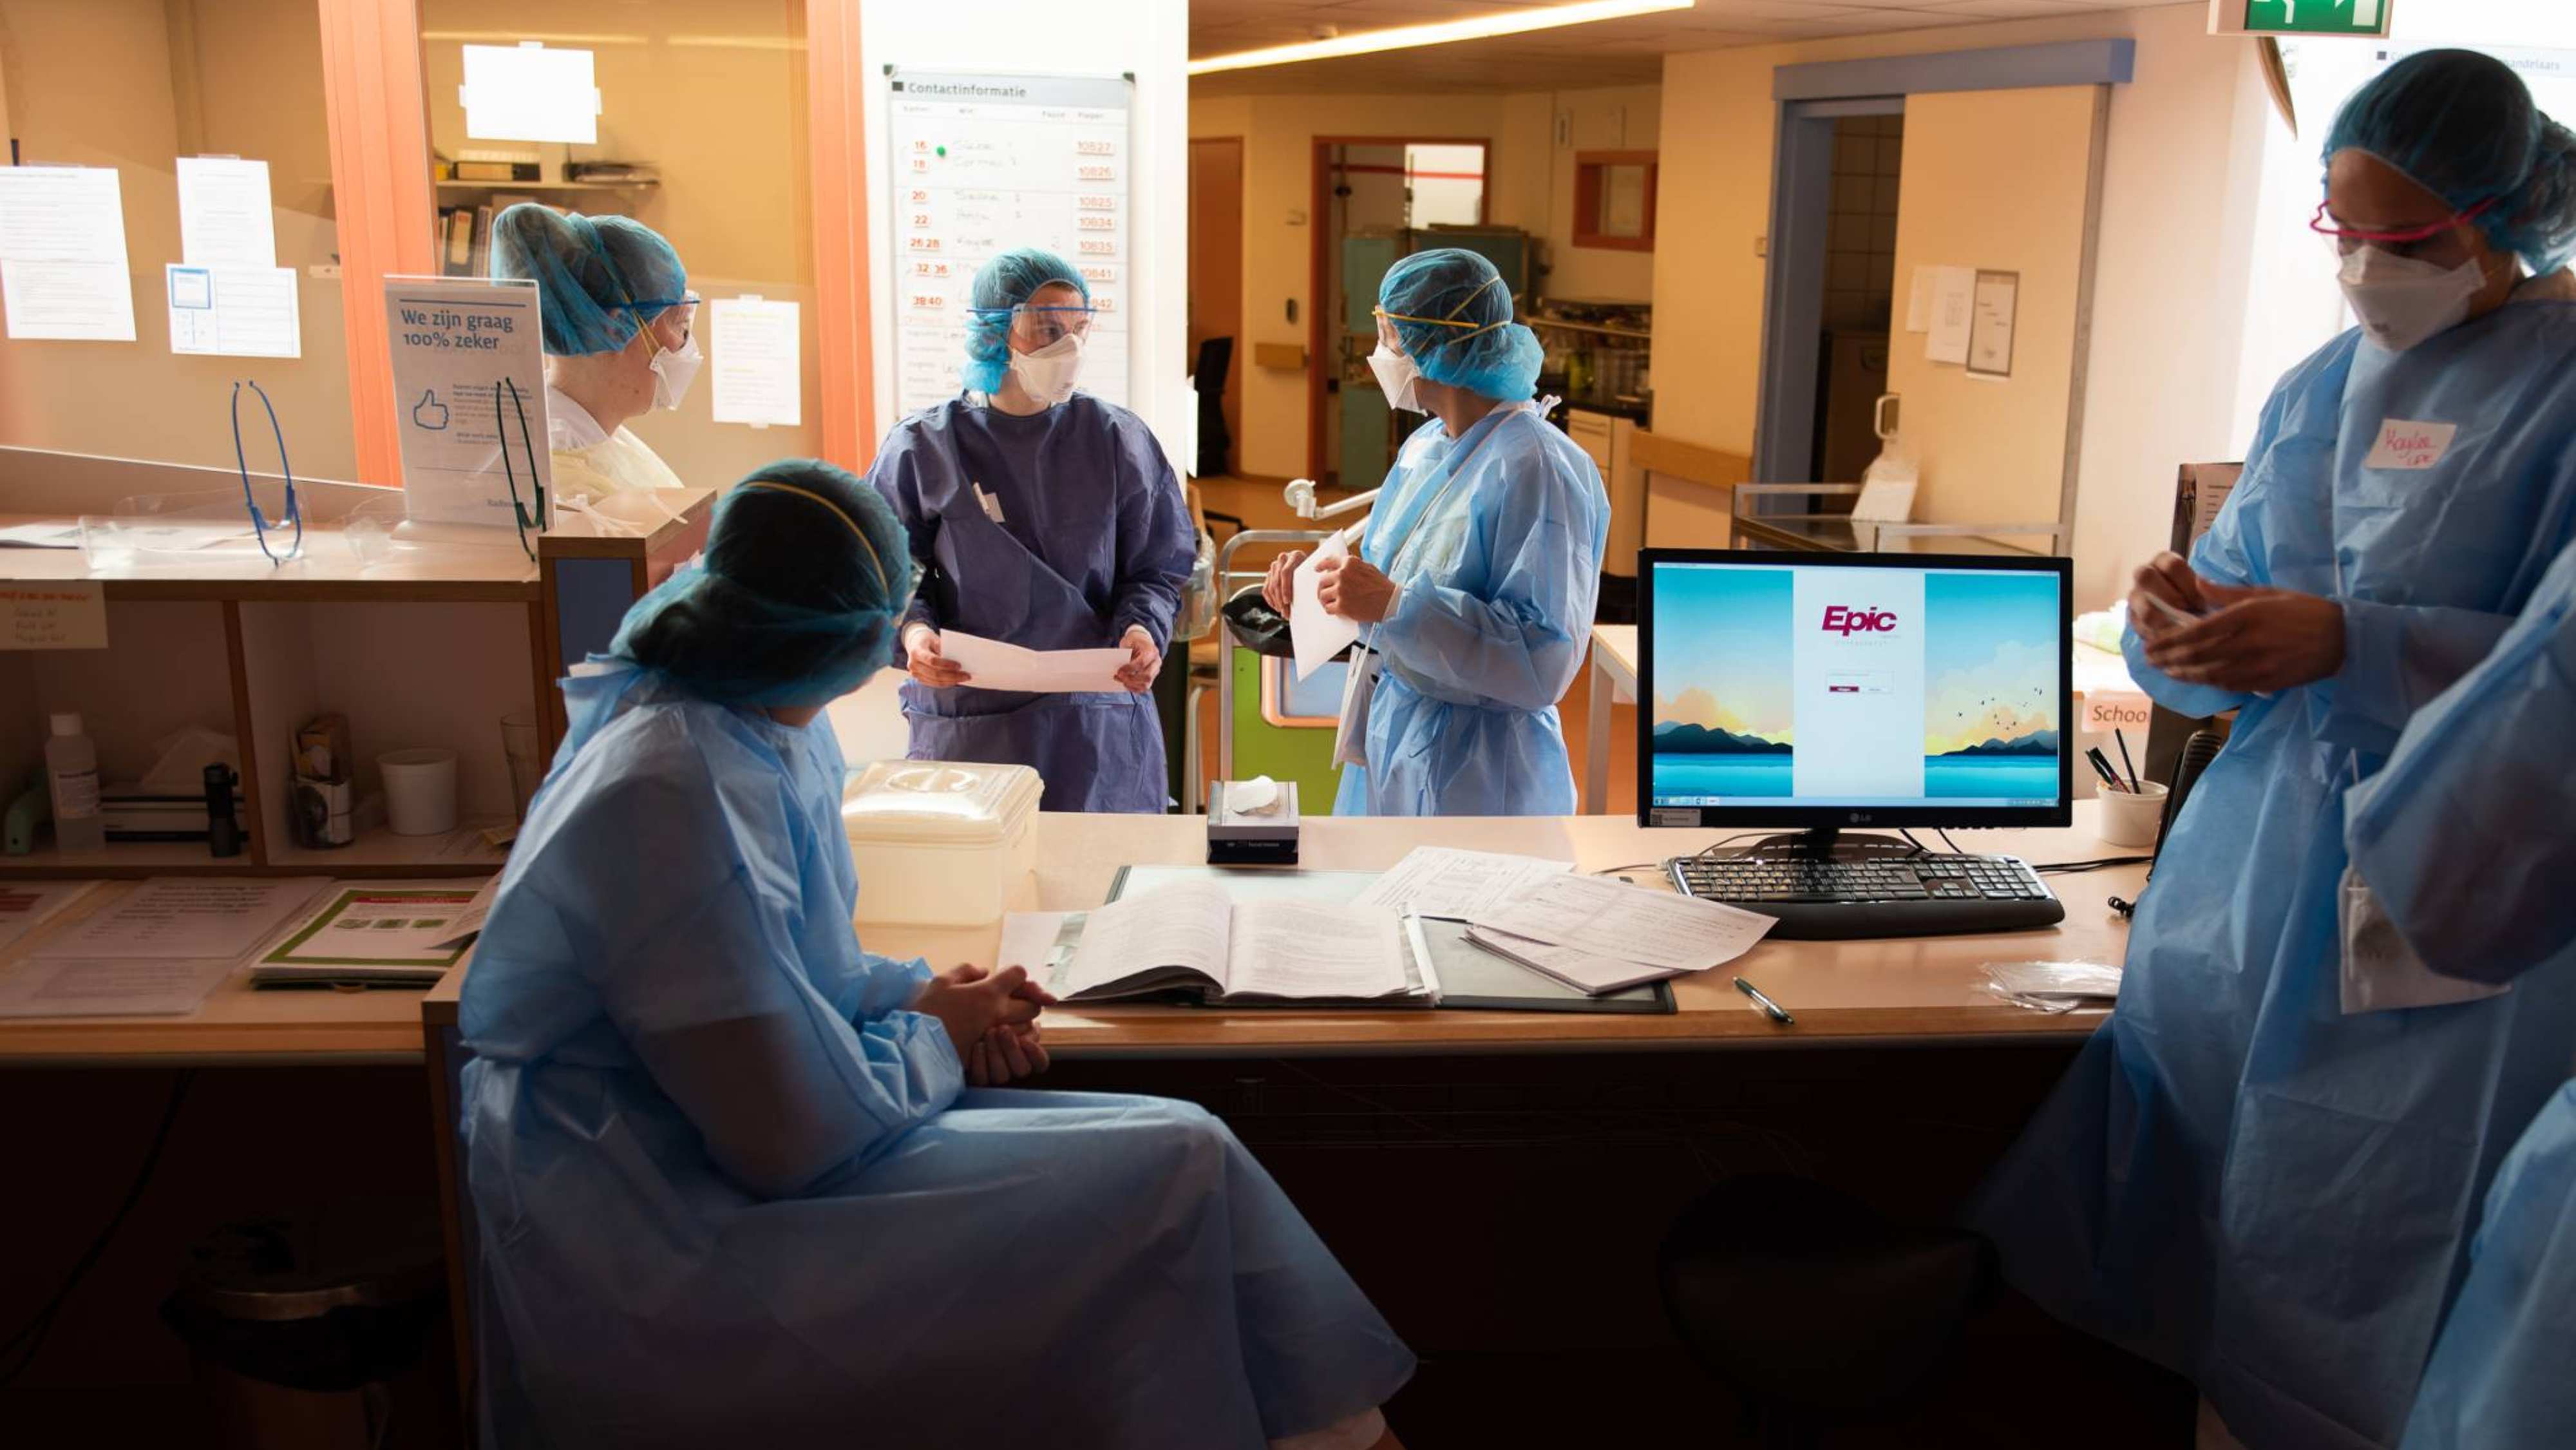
2245,1176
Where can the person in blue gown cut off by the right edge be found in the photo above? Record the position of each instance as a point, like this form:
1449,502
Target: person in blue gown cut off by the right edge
2464,843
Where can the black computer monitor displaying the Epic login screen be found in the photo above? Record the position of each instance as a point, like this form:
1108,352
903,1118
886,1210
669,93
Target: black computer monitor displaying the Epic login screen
1835,692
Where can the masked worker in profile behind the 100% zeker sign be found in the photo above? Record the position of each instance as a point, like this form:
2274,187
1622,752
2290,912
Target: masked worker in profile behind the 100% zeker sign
620,341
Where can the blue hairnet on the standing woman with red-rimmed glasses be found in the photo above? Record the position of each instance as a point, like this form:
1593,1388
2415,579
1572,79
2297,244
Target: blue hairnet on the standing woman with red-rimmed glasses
2464,127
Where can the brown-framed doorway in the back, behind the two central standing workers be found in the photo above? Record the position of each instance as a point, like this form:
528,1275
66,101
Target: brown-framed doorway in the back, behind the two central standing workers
1374,200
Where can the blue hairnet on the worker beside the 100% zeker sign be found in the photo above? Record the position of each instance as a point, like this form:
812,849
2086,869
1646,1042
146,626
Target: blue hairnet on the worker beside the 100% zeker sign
596,277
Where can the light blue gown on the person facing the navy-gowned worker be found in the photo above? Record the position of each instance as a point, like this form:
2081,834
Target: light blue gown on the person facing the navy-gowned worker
1495,545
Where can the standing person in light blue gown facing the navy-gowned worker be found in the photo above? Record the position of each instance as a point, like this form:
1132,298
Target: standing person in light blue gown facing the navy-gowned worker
1477,573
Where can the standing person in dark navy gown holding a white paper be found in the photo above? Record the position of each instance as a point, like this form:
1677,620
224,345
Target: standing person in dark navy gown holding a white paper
1047,519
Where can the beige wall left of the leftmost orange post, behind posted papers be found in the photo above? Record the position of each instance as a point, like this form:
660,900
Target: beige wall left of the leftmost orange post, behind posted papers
138,84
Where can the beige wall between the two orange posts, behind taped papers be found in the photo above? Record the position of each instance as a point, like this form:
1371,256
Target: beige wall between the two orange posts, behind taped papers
712,91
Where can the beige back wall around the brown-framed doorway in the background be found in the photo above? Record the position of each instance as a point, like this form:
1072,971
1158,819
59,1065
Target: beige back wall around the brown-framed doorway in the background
1531,184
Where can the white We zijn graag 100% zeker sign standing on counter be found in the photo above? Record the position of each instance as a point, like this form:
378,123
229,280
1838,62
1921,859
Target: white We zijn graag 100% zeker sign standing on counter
470,400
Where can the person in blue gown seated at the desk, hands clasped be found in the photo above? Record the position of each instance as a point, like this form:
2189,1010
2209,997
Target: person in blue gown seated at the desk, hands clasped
741,1181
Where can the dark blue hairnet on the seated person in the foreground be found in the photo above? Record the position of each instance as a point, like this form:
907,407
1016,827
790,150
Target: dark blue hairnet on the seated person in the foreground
797,601
